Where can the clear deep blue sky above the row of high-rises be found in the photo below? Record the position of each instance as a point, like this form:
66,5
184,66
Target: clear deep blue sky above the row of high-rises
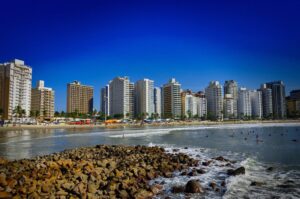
194,41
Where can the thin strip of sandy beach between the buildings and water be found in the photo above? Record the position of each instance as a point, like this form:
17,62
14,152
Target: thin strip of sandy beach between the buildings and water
170,124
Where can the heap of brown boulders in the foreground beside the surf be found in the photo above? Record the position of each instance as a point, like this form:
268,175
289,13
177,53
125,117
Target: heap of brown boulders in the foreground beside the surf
93,172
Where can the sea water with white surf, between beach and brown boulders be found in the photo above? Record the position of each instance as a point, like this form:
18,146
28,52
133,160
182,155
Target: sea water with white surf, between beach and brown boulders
255,146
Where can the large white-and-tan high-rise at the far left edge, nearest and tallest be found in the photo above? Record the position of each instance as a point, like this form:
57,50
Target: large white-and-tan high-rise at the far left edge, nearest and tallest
15,87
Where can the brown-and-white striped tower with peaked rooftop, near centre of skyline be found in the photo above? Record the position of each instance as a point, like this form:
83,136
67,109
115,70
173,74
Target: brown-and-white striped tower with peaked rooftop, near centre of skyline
171,99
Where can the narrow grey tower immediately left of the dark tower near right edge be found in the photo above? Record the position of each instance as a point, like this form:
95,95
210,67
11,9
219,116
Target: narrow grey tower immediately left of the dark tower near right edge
266,101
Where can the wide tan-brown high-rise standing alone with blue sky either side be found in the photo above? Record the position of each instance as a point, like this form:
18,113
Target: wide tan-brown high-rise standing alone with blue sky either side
79,98
